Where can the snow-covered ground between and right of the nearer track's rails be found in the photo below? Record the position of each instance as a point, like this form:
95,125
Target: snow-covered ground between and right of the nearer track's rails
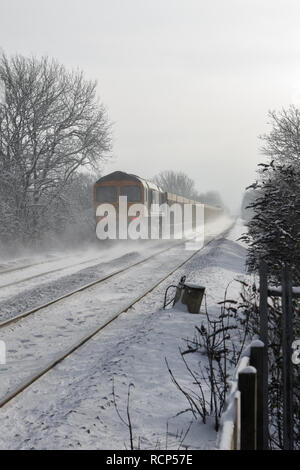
72,406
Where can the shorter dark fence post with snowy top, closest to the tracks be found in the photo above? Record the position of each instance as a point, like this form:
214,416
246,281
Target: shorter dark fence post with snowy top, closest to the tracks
247,385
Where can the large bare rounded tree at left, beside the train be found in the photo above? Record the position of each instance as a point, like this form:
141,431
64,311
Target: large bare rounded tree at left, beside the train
51,125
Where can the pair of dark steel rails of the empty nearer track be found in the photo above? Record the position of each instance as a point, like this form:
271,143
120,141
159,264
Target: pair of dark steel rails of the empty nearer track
63,355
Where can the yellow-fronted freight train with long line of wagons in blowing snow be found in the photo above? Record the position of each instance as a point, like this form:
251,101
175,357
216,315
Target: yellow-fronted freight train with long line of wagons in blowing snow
146,201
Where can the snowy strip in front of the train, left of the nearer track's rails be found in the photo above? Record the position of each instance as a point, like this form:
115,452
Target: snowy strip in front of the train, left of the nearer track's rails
59,273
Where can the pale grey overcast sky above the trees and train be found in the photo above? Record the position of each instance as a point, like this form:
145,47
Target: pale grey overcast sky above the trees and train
187,83
